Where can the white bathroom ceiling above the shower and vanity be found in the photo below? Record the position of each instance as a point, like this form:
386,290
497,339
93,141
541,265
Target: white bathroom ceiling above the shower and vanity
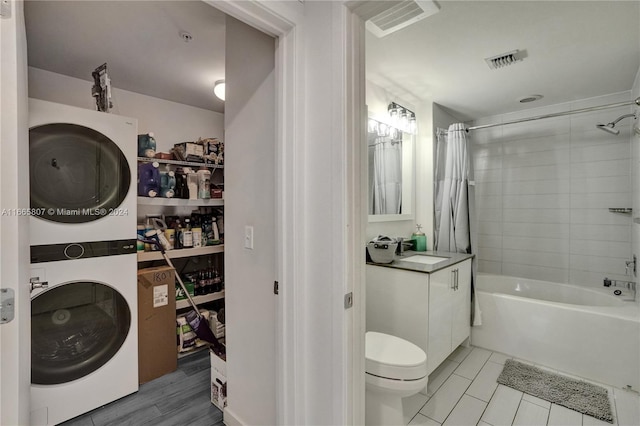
576,50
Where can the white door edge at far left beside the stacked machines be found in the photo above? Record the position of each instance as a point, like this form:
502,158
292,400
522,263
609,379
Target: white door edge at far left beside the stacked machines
15,357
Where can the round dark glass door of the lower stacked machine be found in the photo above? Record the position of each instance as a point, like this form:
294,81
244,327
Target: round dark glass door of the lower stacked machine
75,329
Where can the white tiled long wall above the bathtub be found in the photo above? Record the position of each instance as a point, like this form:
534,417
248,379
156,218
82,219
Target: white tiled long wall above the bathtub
543,193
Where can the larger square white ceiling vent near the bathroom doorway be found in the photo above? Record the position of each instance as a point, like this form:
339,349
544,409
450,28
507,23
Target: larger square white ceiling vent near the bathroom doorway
395,15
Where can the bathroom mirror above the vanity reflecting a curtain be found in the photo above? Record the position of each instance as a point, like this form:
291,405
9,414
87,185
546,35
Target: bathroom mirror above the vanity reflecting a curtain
390,173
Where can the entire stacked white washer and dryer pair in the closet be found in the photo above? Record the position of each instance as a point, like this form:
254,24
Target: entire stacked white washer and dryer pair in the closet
84,339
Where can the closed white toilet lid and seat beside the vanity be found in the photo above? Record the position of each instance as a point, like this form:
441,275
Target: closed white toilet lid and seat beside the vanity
394,358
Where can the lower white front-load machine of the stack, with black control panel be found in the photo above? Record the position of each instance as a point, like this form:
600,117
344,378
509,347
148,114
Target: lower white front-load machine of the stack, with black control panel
84,337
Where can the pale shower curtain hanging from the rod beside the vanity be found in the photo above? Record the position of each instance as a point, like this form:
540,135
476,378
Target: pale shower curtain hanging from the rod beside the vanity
455,201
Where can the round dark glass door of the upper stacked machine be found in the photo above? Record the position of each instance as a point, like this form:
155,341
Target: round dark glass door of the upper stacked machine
76,174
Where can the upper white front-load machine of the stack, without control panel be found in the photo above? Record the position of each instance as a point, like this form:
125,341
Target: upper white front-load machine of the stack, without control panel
80,173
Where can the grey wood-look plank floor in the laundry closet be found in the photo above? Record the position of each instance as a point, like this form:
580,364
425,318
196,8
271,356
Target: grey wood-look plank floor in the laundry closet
178,398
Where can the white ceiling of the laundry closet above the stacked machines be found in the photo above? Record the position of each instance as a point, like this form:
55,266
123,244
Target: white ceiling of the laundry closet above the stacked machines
140,42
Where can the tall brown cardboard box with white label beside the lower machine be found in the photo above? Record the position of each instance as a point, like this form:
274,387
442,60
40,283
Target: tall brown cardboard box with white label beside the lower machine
156,323
